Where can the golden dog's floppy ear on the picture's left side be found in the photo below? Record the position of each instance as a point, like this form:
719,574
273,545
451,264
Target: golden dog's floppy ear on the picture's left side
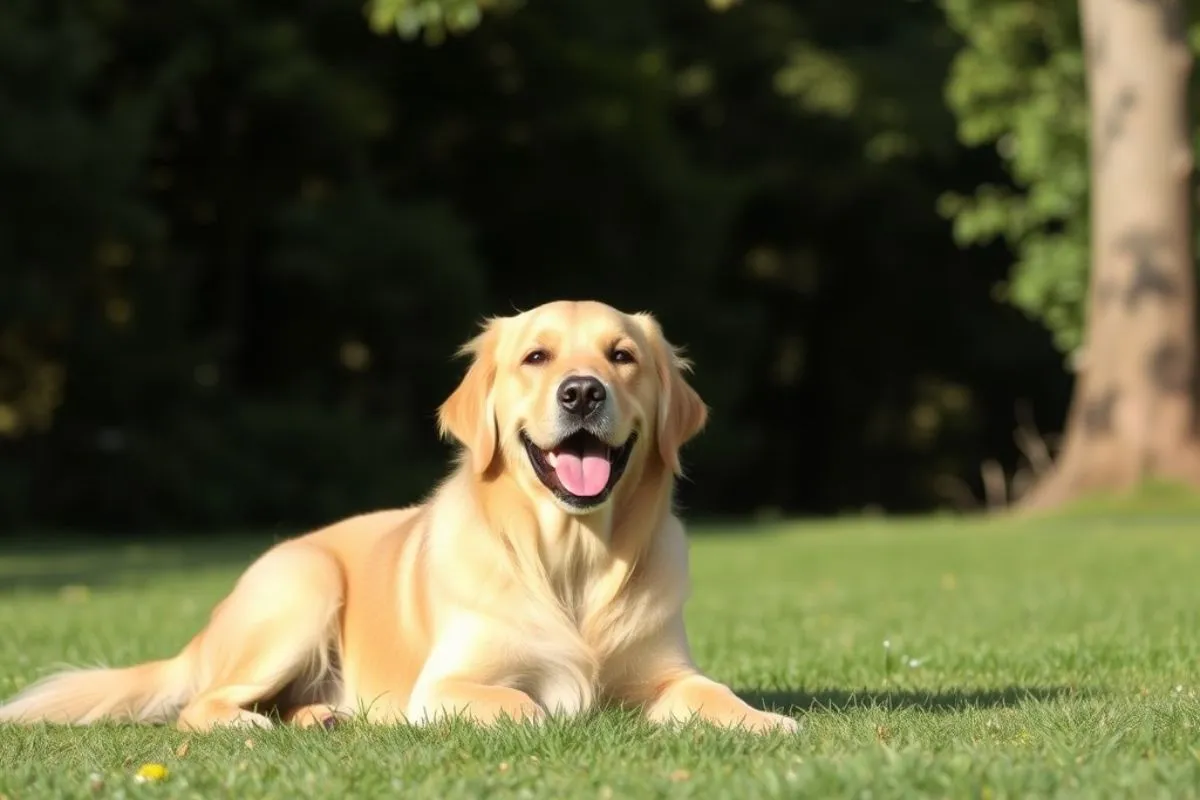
470,413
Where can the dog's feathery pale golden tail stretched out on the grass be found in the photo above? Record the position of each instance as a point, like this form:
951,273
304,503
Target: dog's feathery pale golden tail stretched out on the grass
147,693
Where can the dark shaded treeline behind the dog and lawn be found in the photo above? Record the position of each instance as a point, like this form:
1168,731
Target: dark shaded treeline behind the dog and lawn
242,239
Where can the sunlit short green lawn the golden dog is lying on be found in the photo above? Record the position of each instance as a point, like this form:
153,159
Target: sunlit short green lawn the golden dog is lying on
1059,658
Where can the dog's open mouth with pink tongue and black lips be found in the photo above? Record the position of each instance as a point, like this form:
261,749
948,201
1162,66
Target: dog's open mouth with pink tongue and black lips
581,470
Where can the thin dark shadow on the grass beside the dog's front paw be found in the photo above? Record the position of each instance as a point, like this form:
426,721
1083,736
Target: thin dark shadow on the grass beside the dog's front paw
944,702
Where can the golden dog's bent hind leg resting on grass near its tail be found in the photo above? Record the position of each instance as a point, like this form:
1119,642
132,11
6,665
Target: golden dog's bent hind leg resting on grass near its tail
274,630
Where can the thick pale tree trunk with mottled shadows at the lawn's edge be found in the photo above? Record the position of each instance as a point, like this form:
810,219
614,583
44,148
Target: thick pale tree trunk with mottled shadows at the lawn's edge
1135,411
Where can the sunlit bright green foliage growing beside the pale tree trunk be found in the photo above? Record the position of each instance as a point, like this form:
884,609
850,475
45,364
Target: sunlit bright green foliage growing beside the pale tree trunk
1018,86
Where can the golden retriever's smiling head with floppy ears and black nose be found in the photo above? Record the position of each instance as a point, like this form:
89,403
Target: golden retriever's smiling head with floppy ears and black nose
571,398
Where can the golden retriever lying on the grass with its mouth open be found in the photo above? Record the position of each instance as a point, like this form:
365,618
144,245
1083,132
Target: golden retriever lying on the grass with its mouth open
544,576
